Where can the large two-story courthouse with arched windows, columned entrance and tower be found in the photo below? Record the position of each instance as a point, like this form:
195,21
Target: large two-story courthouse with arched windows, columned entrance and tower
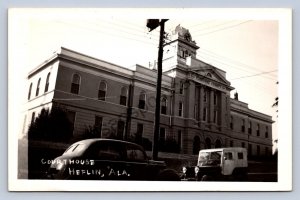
196,108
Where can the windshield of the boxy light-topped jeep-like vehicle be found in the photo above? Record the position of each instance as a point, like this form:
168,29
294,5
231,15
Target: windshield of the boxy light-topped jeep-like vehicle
209,158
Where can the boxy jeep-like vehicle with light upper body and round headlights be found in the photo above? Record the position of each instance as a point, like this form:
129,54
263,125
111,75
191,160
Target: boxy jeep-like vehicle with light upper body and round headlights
218,165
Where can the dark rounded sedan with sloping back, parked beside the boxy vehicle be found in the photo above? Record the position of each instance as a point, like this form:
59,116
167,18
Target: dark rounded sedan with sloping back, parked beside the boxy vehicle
108,159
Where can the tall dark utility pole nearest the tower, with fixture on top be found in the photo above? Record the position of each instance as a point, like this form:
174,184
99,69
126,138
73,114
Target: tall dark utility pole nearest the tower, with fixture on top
152,24
